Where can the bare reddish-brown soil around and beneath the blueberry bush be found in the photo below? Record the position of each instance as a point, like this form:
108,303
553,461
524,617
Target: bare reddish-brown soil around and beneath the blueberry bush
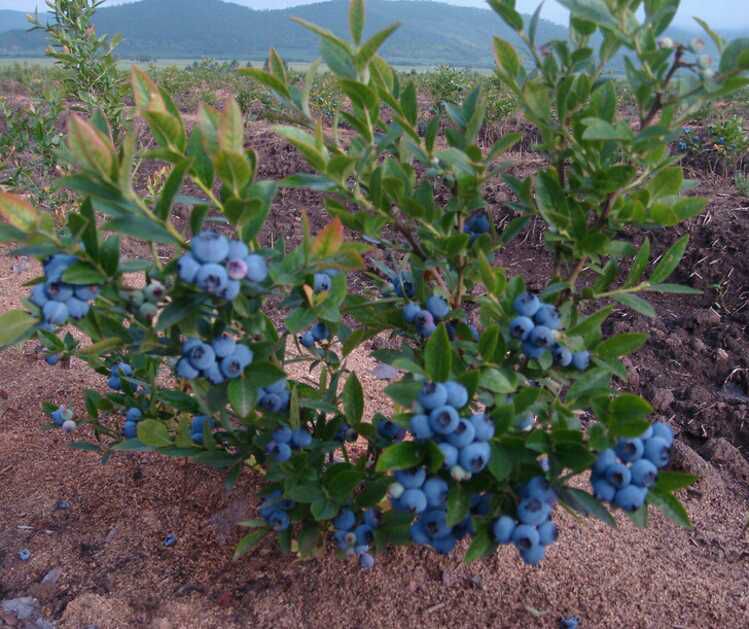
115,571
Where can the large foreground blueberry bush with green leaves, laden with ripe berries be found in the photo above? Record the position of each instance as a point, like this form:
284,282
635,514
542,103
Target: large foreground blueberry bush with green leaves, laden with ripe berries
505,395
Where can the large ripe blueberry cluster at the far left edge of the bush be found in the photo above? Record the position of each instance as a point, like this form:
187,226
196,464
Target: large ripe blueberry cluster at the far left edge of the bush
57,300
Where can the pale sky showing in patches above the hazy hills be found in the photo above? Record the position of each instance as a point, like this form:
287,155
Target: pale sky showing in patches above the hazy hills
718,13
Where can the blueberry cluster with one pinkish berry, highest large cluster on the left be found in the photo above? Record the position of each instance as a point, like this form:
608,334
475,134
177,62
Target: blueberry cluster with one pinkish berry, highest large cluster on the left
217,265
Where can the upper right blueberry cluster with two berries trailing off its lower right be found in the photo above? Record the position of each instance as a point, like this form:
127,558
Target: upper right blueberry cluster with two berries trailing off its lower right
537,326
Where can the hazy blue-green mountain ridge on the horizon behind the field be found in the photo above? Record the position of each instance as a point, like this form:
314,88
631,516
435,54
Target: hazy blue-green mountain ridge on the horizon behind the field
431,32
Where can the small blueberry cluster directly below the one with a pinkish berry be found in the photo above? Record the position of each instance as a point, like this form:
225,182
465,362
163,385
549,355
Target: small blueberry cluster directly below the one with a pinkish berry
223,359
